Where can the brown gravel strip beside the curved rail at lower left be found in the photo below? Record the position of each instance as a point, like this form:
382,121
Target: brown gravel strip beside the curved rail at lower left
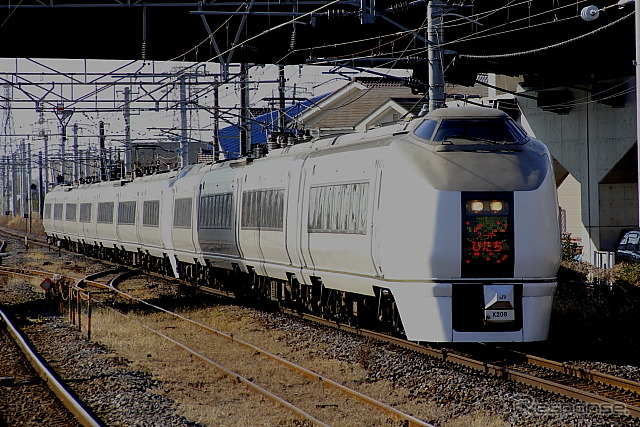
118,395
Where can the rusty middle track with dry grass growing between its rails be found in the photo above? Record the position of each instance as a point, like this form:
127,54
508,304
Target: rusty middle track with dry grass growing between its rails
298,395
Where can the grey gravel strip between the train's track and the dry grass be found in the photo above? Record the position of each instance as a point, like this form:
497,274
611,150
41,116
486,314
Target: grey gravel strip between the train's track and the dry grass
457,390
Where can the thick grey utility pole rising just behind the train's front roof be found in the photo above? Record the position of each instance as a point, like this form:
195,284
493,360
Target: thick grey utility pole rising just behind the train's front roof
434,50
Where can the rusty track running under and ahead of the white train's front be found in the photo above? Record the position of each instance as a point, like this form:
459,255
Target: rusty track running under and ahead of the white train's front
606,392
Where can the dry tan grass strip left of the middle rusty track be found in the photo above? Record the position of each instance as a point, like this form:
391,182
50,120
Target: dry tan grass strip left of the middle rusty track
204,394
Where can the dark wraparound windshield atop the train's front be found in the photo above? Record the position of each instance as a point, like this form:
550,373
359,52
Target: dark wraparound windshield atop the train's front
484,130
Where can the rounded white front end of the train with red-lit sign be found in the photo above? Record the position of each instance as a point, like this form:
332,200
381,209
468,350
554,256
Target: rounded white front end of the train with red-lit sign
484,196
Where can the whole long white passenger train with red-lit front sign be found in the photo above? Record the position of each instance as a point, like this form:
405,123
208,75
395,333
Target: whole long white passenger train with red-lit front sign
444,228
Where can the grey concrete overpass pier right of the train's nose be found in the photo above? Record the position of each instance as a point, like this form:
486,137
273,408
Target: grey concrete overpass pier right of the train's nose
589,141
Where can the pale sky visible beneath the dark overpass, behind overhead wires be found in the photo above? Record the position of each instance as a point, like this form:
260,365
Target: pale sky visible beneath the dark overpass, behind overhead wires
87,92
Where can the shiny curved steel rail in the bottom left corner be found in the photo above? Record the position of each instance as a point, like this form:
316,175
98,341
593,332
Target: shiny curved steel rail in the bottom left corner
77,408
